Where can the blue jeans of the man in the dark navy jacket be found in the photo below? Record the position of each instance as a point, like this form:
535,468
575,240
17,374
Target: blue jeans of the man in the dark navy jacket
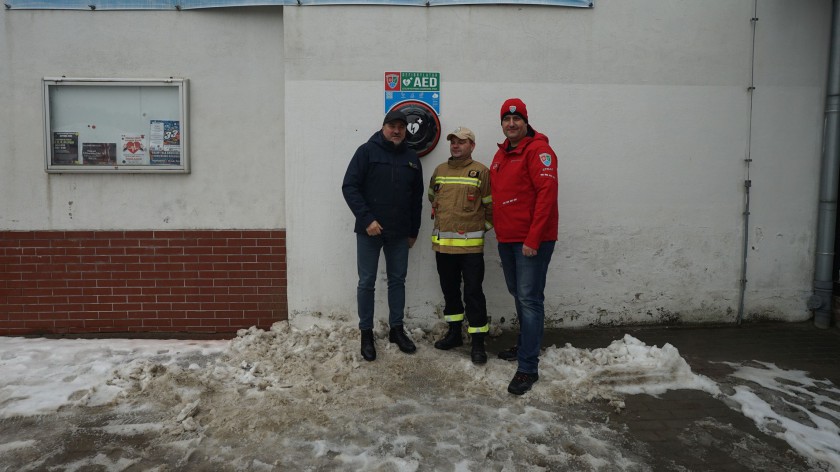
396,266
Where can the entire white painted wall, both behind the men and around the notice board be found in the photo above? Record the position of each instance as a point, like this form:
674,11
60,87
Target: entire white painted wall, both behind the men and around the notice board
645,102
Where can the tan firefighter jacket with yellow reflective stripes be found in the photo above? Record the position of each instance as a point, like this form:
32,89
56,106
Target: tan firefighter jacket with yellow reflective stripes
461,206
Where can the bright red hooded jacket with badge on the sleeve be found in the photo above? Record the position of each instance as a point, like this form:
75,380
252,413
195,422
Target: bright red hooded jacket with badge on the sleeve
524,185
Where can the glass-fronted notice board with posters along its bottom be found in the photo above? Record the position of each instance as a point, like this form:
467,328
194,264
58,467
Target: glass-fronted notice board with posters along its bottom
116,125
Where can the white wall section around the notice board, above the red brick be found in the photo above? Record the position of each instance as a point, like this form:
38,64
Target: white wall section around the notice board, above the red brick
234,61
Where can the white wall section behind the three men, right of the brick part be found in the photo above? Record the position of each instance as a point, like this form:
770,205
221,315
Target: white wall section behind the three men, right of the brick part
646,105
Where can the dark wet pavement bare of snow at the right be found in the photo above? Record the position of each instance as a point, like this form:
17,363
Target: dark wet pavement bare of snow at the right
691,430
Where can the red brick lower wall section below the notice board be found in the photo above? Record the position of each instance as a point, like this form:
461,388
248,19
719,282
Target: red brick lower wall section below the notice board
66,282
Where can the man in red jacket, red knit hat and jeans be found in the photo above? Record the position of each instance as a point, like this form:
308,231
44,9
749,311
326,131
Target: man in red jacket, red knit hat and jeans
523,181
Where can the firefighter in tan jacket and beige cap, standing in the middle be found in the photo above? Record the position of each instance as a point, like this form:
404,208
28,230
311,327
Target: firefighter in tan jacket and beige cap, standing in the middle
462,210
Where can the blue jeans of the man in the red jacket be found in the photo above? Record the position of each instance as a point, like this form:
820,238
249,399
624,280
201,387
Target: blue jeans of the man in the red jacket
525,279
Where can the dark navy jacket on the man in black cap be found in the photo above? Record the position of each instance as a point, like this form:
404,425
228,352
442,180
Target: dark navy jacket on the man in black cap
384,182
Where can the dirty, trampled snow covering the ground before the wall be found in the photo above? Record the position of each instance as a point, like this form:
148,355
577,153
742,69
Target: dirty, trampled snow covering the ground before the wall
304,399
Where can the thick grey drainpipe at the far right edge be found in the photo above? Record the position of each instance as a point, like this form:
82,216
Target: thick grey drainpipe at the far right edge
820,302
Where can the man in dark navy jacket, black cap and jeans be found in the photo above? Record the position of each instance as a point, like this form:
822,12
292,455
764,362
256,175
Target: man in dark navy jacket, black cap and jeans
383,186
